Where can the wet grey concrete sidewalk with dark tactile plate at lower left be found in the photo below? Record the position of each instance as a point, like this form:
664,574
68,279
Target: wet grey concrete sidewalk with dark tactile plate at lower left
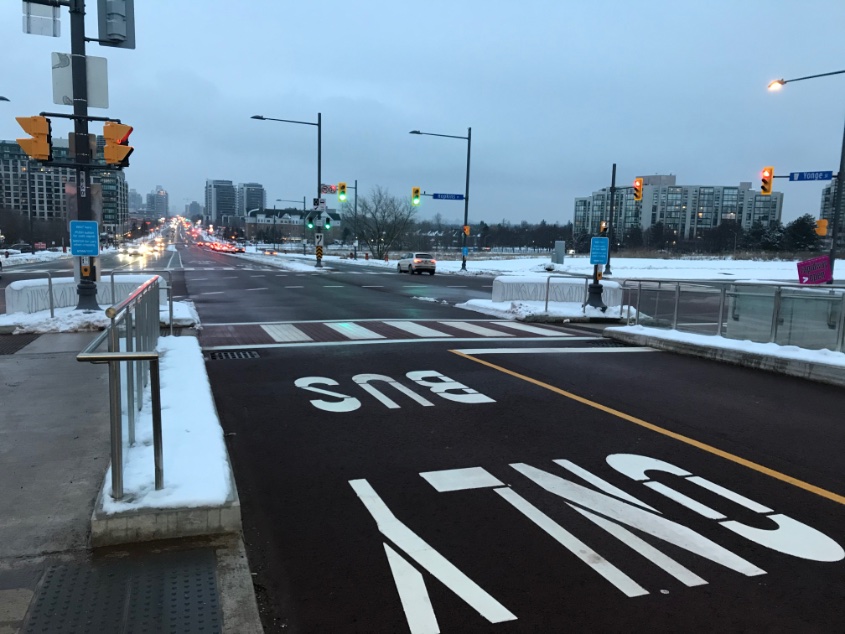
54,452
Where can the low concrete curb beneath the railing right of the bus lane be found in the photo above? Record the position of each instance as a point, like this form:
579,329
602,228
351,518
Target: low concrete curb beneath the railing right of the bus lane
819,372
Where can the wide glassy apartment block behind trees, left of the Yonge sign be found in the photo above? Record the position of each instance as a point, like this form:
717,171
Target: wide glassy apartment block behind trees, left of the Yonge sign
685,210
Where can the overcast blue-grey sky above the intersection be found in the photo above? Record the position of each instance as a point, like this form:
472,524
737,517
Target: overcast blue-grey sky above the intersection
555,93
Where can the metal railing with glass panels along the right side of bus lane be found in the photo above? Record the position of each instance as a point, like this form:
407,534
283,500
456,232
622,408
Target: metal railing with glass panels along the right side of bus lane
734,291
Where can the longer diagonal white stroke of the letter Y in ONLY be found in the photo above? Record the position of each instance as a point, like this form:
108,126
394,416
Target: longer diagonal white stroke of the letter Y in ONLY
428,558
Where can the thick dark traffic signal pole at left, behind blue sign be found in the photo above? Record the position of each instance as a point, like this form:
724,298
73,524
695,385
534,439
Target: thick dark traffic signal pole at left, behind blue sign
87,287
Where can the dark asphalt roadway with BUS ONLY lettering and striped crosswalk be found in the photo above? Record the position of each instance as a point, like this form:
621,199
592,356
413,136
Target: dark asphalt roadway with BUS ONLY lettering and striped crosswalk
405,465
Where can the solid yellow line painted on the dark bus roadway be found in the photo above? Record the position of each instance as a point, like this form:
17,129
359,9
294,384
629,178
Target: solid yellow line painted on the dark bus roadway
660,430
